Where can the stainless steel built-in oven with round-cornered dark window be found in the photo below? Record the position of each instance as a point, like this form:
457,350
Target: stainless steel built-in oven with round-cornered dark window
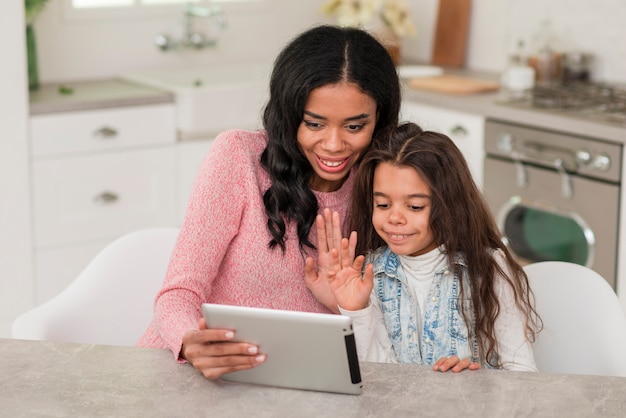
555,195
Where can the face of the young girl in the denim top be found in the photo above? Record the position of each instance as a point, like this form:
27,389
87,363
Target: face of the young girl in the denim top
401,214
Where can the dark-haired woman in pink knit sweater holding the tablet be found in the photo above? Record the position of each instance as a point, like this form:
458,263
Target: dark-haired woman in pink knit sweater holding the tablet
248,228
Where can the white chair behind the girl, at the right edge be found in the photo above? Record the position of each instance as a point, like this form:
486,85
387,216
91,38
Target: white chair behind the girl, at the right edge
584,324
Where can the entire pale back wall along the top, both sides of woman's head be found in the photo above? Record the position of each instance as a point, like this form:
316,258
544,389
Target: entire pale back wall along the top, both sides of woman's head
94,48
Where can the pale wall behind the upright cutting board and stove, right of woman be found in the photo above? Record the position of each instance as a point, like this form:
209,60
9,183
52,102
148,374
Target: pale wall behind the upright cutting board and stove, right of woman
594,26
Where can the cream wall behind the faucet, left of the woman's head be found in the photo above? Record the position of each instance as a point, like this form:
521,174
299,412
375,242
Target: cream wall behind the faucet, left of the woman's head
89,48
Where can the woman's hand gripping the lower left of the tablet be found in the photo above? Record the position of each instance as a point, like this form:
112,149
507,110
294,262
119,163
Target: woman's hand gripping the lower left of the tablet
214,353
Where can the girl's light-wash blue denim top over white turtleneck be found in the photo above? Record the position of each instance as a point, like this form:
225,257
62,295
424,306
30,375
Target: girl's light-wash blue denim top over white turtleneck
444,330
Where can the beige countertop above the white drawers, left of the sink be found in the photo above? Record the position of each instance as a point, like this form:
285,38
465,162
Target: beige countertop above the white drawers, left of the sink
97,94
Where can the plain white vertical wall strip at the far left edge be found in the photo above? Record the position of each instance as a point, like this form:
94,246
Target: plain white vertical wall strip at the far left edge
16,291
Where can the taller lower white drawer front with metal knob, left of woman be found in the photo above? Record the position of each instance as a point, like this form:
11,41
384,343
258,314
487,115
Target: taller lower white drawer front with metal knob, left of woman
103,196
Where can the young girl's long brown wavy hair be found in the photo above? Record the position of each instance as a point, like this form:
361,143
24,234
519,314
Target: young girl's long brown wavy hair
460,220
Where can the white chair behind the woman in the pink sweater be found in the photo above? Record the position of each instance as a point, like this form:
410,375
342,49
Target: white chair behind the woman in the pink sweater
111,301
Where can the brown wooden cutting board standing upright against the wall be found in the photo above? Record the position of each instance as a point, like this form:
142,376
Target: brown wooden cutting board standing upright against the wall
451,33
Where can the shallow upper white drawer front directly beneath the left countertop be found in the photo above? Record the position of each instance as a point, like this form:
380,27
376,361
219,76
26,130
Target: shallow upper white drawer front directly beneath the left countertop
102,130
